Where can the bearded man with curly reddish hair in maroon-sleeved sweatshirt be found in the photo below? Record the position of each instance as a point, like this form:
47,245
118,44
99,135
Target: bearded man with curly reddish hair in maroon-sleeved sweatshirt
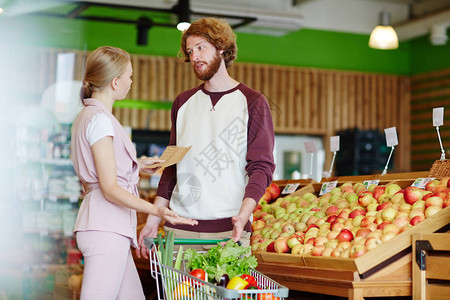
230,129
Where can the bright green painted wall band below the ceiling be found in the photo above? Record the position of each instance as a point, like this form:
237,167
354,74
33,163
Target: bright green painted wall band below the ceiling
304,48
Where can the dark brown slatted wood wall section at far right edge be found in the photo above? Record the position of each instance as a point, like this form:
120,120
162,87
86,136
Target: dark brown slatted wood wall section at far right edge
428,91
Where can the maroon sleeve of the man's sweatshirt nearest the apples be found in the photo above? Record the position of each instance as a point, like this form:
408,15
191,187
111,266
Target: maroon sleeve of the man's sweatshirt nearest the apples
260,145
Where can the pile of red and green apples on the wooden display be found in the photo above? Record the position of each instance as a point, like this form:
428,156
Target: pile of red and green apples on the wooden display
347,222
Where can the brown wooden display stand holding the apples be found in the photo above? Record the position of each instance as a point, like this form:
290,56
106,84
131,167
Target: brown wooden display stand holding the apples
381,272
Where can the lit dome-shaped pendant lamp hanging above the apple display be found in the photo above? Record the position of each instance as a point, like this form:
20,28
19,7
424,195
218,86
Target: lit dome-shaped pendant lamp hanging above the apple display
384,36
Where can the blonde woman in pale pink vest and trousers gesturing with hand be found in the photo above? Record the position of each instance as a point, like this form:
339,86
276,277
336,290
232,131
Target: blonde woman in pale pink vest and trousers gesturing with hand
105,160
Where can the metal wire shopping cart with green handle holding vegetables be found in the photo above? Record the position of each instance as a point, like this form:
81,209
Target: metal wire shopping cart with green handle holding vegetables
173,284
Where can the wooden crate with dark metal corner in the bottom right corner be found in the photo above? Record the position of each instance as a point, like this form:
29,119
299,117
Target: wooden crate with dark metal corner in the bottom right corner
431,266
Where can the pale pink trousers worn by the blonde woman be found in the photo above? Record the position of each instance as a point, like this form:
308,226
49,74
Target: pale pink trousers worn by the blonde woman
109,270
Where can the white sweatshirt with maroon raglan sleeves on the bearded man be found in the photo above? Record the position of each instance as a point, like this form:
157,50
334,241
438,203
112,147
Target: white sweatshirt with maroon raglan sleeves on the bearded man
232,139
